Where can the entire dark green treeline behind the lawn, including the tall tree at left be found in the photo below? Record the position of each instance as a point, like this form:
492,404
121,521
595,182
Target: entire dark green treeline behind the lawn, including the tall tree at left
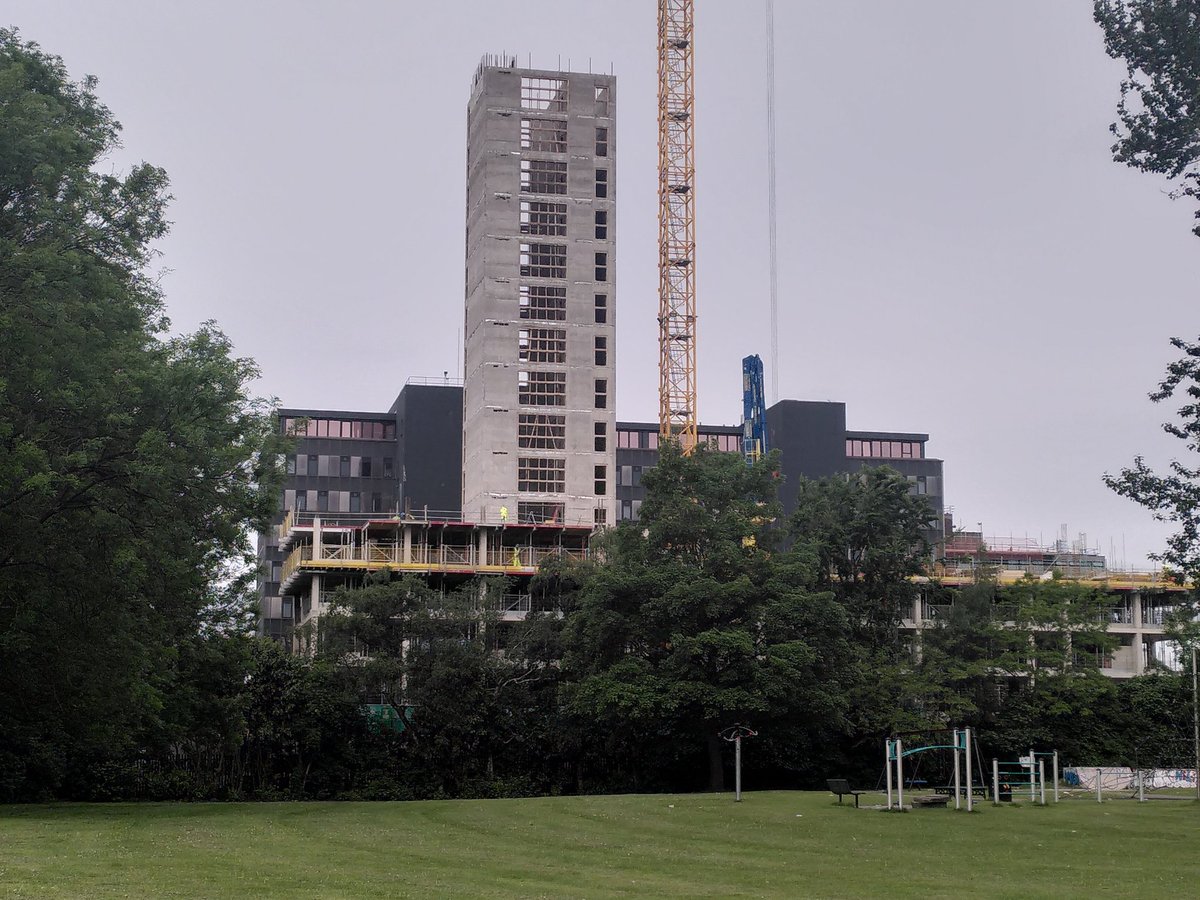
135,465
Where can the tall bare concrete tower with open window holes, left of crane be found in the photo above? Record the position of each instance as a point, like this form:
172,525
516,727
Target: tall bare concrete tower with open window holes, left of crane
539,405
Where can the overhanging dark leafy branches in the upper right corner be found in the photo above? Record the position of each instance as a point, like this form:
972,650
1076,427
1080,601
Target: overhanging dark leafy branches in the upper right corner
1160,109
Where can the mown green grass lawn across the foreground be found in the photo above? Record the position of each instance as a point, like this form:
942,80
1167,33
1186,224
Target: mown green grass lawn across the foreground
800,845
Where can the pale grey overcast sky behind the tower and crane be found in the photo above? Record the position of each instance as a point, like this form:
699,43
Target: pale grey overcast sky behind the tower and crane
958,254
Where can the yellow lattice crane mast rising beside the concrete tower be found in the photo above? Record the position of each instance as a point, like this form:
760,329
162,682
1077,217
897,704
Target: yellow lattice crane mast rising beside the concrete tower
677,226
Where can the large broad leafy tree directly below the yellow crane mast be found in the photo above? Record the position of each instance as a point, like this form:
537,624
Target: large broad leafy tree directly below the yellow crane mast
695,621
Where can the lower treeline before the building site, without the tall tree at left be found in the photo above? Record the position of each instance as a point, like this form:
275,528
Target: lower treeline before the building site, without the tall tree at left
698,617
